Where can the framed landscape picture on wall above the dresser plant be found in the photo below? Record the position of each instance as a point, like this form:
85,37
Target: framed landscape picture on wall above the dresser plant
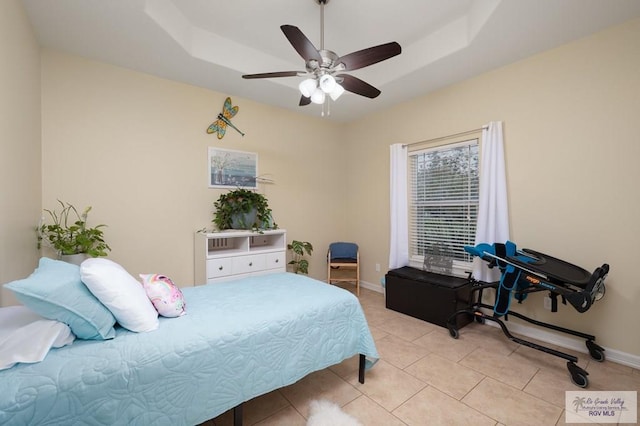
232,169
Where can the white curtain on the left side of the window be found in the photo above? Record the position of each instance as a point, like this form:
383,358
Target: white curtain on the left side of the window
399,245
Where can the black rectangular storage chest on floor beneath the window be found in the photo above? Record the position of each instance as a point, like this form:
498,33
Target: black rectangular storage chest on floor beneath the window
428,296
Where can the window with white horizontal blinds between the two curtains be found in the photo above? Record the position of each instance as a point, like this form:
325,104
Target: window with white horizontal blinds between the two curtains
443,203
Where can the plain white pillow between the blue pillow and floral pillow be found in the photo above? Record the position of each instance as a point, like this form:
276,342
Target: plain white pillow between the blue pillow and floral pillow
125,297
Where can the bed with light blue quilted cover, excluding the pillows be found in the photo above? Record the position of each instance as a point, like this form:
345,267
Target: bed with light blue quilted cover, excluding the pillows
238,340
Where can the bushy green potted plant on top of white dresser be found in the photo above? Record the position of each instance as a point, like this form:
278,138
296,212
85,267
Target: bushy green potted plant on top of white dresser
243,209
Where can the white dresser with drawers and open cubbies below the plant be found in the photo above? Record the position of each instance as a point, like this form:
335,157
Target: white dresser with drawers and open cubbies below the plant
227,255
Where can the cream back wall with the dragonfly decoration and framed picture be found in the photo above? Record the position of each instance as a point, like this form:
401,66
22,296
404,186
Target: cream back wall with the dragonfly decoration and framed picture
134,147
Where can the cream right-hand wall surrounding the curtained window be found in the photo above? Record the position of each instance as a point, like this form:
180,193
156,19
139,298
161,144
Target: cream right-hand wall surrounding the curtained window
571,142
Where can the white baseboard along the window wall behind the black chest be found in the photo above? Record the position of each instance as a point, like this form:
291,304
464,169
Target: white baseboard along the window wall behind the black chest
551,338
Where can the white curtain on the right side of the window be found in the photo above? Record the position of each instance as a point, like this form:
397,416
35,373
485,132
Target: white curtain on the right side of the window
493,210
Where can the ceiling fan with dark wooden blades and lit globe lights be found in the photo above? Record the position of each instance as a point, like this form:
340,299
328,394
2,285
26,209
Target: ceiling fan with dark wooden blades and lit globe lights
325,69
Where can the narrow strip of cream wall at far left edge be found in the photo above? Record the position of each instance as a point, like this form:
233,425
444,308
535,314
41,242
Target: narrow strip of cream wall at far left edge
19,145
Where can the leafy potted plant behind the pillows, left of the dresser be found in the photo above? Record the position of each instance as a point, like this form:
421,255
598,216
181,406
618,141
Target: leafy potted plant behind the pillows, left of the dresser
69,234
